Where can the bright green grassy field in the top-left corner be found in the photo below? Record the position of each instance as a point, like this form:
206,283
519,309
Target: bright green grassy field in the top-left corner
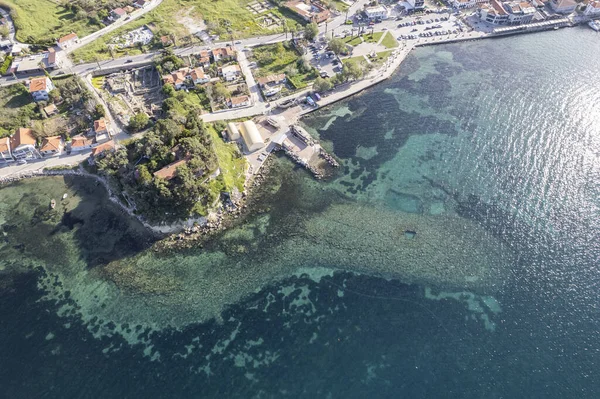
43,21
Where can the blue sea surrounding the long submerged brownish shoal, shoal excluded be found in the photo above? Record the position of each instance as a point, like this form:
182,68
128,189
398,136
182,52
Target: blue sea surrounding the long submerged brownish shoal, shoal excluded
503,133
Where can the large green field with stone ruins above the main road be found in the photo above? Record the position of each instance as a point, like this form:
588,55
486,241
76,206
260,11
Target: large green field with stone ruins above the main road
170,17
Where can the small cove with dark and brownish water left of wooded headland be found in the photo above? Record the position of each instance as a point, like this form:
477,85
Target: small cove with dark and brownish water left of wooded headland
99,229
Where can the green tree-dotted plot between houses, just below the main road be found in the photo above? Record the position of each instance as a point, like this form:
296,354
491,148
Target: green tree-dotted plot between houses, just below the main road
283,58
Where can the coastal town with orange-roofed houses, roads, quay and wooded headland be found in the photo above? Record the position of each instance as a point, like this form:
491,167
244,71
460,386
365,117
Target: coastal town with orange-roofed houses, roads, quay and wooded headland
193,119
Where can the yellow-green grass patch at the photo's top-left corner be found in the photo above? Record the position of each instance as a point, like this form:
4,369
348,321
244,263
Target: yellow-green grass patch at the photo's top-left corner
42,21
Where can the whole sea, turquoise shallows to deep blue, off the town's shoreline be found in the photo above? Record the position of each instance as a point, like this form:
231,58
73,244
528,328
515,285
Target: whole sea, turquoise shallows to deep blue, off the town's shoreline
487,151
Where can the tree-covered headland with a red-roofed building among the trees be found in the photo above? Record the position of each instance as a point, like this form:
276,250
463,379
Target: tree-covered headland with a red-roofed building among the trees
188,188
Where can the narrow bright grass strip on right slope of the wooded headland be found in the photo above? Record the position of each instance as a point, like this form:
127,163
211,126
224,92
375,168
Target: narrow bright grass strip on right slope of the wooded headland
231,162
